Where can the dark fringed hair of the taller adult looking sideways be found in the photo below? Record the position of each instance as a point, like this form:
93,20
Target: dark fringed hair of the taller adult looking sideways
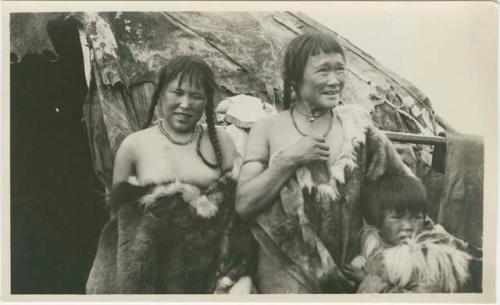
296,55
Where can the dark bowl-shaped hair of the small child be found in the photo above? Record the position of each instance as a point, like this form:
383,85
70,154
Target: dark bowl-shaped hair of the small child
401,193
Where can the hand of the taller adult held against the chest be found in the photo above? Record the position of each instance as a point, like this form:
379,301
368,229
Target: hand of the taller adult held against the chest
305,151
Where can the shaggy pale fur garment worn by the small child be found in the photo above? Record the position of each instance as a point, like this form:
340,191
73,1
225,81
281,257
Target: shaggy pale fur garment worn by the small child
428,262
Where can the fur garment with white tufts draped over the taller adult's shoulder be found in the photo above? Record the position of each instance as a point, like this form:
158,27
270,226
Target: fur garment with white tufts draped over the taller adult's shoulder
312,228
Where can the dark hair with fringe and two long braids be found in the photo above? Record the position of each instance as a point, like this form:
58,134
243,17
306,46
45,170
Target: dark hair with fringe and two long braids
197,72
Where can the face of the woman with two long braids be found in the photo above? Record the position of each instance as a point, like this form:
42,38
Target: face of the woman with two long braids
182,106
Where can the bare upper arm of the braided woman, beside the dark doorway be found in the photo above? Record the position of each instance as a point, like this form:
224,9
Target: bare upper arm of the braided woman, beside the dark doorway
124,165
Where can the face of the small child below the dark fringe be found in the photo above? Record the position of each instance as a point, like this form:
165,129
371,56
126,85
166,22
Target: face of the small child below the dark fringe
396,228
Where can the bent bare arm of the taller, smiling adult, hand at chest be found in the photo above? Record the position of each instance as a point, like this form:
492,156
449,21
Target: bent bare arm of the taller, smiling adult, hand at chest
258,186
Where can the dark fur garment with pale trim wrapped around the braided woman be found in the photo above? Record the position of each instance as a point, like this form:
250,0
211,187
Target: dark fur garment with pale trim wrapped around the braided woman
172,238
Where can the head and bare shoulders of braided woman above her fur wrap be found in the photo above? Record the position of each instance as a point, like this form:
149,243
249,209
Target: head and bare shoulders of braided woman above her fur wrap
186,89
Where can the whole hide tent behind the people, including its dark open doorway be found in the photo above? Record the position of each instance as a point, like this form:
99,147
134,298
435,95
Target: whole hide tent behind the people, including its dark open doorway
106,65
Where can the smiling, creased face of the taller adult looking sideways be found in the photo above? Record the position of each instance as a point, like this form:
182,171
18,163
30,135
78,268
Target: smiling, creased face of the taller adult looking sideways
323,80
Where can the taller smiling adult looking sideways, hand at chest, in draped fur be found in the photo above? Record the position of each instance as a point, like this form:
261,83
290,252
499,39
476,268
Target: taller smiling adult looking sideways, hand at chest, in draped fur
303,172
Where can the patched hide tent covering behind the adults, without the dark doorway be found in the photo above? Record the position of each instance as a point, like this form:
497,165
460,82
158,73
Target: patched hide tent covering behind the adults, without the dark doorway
123,51
